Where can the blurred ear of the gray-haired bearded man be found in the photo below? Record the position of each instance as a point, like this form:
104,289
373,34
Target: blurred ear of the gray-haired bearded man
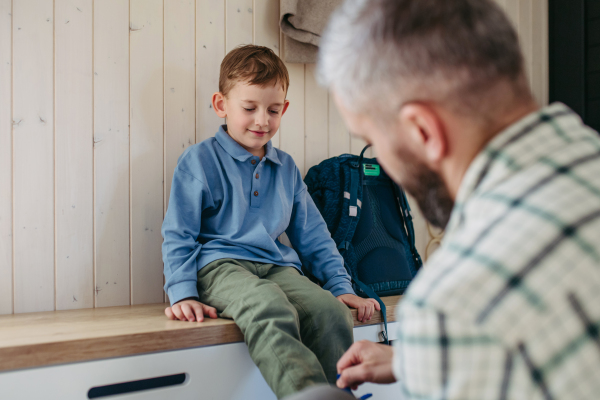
426,130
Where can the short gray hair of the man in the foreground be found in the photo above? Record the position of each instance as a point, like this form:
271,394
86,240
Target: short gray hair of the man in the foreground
380,54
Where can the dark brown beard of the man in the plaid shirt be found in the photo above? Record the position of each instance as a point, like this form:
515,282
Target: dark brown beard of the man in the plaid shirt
428,189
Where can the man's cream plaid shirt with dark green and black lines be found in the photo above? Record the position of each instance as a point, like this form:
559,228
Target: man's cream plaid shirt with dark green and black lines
509,306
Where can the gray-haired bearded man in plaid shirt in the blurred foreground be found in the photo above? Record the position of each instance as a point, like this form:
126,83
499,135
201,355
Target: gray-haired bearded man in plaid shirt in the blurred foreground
509,305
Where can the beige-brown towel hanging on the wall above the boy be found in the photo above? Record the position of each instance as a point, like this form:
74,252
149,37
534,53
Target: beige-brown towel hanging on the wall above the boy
302,22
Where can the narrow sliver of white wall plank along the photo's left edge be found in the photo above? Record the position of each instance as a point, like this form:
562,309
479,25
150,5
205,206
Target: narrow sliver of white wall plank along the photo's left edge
6,240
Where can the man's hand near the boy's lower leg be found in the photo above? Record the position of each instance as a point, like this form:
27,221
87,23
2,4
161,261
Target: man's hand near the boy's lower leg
365,362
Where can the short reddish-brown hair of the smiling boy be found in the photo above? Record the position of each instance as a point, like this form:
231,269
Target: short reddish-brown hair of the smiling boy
258,65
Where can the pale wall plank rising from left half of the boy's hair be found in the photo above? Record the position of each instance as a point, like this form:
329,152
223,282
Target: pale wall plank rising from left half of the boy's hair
238,29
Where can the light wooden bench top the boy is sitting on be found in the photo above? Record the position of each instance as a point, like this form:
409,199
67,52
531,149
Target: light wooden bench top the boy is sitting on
57,337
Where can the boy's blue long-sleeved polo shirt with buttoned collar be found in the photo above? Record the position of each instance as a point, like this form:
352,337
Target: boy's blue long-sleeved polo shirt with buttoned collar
227,203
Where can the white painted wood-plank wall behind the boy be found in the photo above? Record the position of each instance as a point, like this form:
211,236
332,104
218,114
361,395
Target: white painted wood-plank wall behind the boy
97,101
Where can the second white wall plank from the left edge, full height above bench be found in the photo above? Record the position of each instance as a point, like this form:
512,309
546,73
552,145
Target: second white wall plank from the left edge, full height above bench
33,114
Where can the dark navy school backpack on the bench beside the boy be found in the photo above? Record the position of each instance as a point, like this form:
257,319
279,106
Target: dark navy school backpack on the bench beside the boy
369,219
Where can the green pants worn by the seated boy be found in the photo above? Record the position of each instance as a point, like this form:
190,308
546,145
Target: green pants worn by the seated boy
295,331
